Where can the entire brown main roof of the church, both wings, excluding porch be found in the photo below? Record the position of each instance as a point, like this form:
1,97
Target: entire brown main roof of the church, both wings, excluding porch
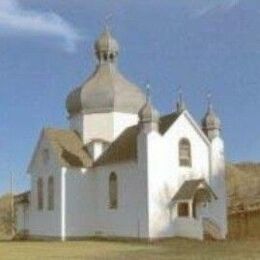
71,152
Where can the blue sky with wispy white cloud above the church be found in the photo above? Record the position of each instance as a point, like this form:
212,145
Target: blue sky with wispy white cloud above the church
46,50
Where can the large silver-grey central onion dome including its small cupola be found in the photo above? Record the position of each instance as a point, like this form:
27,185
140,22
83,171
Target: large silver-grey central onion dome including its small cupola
106,90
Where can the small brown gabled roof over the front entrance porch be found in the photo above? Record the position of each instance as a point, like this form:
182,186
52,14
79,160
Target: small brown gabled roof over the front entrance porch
189,188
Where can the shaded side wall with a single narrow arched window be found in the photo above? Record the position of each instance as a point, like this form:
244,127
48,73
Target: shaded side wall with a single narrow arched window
125,220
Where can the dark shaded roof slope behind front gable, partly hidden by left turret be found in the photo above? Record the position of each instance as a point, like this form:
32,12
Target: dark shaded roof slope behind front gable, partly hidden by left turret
124,148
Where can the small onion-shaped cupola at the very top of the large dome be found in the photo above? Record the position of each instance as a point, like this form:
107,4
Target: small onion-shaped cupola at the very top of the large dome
106,46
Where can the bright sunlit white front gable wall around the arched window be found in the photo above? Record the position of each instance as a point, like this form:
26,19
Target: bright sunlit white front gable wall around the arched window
165,176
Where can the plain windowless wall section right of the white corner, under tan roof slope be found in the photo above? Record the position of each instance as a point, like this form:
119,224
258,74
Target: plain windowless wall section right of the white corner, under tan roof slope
80,203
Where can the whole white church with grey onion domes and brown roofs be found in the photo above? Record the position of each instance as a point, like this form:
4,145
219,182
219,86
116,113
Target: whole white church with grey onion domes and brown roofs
121,170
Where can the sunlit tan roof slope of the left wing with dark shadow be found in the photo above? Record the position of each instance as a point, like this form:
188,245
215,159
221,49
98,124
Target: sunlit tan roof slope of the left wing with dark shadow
69,148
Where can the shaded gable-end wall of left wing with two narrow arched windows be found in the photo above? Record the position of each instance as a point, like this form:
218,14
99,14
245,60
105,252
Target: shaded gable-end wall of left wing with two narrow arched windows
45,222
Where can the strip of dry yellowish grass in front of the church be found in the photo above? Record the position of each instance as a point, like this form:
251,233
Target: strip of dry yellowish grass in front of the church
172,249
